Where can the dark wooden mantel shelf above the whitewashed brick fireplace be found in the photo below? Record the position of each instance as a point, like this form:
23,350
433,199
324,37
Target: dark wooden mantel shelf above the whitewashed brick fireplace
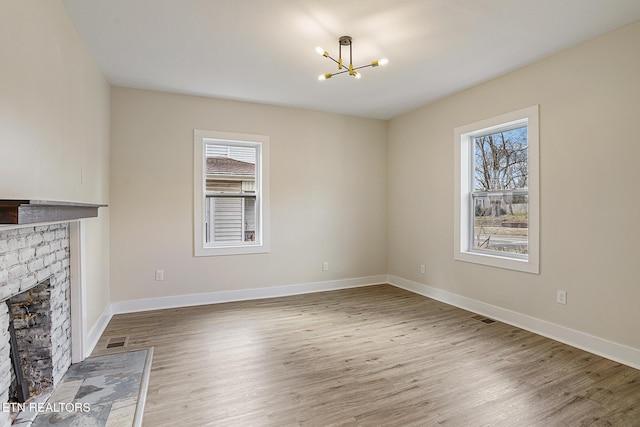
18,212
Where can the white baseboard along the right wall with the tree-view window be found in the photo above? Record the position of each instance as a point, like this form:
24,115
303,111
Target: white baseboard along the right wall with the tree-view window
610,350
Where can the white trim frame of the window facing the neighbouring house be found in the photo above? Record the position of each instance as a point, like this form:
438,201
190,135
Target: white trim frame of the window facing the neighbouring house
262,244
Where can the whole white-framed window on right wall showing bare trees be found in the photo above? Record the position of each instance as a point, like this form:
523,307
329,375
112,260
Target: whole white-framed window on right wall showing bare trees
496,201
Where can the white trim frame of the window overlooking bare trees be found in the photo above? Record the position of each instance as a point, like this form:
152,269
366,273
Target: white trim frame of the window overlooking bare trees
463,137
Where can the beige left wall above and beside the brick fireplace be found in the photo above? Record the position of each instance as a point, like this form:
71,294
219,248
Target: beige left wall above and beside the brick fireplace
54,124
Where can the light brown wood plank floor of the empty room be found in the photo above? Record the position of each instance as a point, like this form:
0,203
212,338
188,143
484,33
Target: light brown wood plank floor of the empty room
373,356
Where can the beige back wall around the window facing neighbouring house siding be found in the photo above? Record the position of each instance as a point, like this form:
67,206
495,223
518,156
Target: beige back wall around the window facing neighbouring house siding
327,184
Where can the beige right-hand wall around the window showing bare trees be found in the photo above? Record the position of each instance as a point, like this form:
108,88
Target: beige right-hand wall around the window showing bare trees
589,107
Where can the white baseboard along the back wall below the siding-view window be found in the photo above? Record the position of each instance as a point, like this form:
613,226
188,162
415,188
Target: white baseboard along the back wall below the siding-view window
176,301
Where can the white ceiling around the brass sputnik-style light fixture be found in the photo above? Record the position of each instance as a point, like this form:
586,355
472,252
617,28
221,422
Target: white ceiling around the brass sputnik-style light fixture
263,50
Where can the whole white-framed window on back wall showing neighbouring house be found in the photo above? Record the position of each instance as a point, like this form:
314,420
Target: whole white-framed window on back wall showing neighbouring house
230,193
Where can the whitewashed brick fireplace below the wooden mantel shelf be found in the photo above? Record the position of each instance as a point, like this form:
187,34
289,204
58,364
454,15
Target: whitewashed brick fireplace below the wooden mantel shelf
35,265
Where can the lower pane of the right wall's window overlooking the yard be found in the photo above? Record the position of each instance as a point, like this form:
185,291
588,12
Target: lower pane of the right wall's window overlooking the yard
501,223
